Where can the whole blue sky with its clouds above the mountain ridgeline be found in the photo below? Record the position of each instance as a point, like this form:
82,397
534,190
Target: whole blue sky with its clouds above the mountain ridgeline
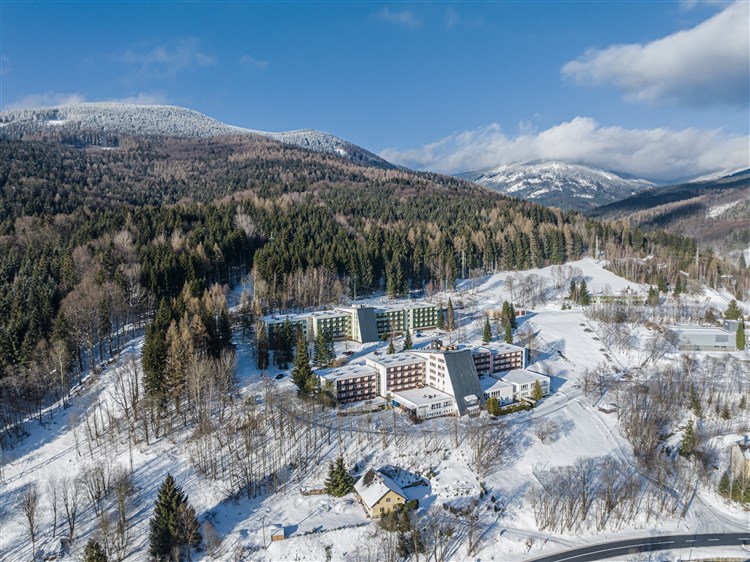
656,89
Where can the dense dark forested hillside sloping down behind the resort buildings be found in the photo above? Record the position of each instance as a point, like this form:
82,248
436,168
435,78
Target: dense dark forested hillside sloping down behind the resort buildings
92,240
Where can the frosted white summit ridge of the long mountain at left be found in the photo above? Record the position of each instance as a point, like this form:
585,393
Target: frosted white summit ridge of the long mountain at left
108,118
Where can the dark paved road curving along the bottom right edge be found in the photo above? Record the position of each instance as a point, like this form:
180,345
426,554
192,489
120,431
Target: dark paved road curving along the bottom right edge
647,544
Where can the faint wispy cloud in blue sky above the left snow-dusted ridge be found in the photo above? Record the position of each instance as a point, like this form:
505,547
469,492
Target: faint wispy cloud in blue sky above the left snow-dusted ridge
165,60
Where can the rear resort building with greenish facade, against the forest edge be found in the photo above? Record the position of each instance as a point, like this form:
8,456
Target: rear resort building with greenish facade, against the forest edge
360,323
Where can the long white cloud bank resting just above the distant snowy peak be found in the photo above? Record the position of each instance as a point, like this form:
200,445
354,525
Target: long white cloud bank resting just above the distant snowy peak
654,153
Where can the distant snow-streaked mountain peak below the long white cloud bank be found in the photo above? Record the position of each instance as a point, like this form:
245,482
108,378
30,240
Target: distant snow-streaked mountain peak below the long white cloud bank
559,184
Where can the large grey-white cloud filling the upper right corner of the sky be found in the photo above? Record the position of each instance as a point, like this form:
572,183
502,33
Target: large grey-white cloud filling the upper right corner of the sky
703,66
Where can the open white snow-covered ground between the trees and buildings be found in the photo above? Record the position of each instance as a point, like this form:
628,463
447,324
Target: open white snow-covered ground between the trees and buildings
319,527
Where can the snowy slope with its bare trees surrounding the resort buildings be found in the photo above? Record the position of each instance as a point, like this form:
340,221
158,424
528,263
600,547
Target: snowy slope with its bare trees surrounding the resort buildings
252,457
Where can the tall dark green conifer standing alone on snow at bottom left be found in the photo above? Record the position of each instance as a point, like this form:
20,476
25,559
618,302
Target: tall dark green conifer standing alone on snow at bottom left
173,524
